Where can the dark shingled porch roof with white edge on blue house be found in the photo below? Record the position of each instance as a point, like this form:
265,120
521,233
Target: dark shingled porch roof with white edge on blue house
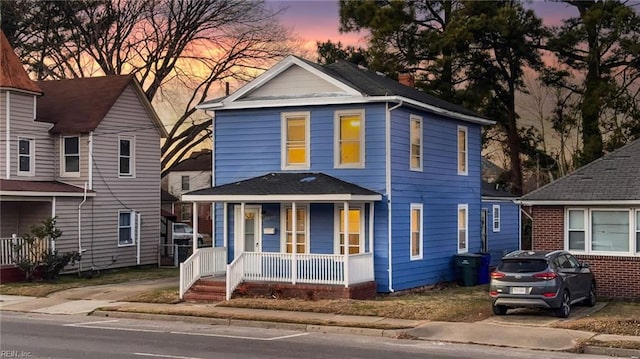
285,187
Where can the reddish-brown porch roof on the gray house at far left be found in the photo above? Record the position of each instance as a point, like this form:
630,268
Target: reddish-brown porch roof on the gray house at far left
40,189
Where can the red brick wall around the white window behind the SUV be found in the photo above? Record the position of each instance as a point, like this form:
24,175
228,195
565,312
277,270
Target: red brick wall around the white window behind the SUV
616,277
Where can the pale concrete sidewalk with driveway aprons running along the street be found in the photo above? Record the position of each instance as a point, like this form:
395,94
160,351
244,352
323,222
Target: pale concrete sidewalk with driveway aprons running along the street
518,330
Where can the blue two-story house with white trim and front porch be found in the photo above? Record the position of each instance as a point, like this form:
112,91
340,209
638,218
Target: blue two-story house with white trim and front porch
335,176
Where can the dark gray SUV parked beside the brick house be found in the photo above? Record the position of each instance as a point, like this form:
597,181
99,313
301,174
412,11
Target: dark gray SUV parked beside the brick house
553,280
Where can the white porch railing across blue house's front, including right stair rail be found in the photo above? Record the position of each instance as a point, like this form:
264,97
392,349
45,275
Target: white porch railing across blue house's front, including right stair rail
307,268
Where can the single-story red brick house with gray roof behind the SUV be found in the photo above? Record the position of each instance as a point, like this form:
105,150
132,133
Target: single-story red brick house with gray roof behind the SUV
595,214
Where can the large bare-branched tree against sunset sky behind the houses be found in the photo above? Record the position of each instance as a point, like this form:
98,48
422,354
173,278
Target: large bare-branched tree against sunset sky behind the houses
185,46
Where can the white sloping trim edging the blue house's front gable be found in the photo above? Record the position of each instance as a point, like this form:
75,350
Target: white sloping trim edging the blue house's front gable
277,70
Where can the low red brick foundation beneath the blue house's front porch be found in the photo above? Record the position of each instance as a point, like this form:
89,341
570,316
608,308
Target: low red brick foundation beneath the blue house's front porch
305,291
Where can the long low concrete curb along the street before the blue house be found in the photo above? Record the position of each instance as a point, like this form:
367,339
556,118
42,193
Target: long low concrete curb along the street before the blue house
388,333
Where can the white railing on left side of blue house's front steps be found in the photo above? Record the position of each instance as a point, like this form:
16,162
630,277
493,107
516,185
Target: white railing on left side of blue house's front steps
203,262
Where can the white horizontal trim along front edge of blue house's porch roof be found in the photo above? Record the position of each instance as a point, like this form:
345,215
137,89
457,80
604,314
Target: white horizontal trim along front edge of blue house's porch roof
281,198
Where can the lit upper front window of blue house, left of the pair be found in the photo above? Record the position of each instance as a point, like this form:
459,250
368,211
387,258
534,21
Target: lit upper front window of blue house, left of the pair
295,140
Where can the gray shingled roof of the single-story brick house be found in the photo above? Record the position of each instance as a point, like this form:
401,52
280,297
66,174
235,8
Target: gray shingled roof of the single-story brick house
614,177
